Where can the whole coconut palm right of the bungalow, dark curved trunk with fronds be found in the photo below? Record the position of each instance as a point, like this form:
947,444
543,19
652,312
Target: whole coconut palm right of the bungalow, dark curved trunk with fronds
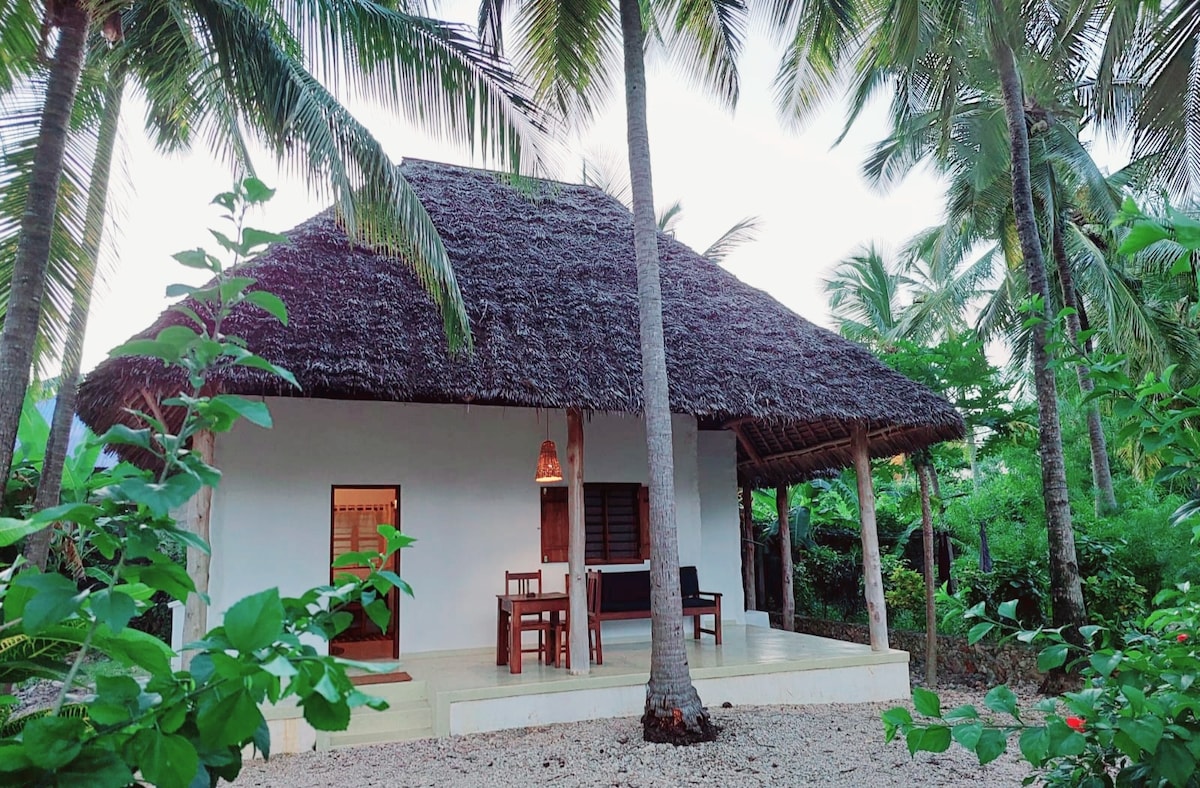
929,55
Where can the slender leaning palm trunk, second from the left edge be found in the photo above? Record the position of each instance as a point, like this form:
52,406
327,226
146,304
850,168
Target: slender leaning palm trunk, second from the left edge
50,484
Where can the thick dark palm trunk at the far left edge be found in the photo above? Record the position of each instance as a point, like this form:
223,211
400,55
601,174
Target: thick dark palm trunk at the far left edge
37,226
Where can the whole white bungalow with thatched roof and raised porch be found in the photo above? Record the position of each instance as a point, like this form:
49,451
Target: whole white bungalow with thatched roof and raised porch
389,428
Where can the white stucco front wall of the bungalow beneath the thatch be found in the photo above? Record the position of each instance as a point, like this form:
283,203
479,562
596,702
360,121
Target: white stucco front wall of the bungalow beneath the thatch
467,495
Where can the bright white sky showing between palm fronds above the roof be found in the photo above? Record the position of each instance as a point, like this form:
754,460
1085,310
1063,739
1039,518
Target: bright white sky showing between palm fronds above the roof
814,207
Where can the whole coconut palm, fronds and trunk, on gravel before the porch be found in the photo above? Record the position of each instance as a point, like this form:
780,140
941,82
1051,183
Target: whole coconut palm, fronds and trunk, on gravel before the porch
568,50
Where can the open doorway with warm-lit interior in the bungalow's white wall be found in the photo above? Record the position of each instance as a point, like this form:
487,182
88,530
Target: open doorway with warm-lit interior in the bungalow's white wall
355,522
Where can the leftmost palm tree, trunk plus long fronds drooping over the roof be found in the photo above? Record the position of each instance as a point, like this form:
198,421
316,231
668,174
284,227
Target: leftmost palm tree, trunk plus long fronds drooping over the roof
221,68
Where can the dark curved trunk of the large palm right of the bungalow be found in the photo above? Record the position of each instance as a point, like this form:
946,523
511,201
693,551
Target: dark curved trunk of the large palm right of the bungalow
1066,593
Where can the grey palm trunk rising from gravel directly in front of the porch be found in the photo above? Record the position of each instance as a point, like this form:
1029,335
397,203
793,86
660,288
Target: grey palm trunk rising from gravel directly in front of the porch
674,712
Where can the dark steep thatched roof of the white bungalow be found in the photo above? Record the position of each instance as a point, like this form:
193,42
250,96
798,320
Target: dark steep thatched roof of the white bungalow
550,286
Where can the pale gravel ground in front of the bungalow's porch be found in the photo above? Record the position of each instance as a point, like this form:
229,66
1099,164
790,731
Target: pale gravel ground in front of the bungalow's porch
826,745
